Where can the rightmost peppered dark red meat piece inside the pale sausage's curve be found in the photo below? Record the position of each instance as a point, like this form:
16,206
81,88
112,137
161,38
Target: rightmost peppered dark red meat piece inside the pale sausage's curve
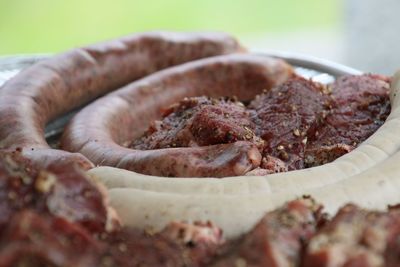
360,106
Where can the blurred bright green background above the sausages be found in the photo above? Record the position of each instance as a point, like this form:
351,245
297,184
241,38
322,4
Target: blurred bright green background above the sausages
31,26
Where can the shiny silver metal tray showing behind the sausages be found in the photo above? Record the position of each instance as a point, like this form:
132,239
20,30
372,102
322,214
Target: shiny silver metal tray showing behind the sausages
319,70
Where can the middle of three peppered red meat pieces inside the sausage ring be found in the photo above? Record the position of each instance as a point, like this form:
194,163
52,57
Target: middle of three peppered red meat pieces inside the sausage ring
287,116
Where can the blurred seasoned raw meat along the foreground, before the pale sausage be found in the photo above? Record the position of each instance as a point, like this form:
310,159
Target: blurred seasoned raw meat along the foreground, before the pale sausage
57,217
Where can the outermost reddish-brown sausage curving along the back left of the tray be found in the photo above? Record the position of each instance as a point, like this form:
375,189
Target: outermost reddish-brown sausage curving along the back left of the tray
64,82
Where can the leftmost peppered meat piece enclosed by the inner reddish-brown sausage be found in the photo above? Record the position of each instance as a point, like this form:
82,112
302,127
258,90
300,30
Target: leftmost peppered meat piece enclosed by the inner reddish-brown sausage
200,121
